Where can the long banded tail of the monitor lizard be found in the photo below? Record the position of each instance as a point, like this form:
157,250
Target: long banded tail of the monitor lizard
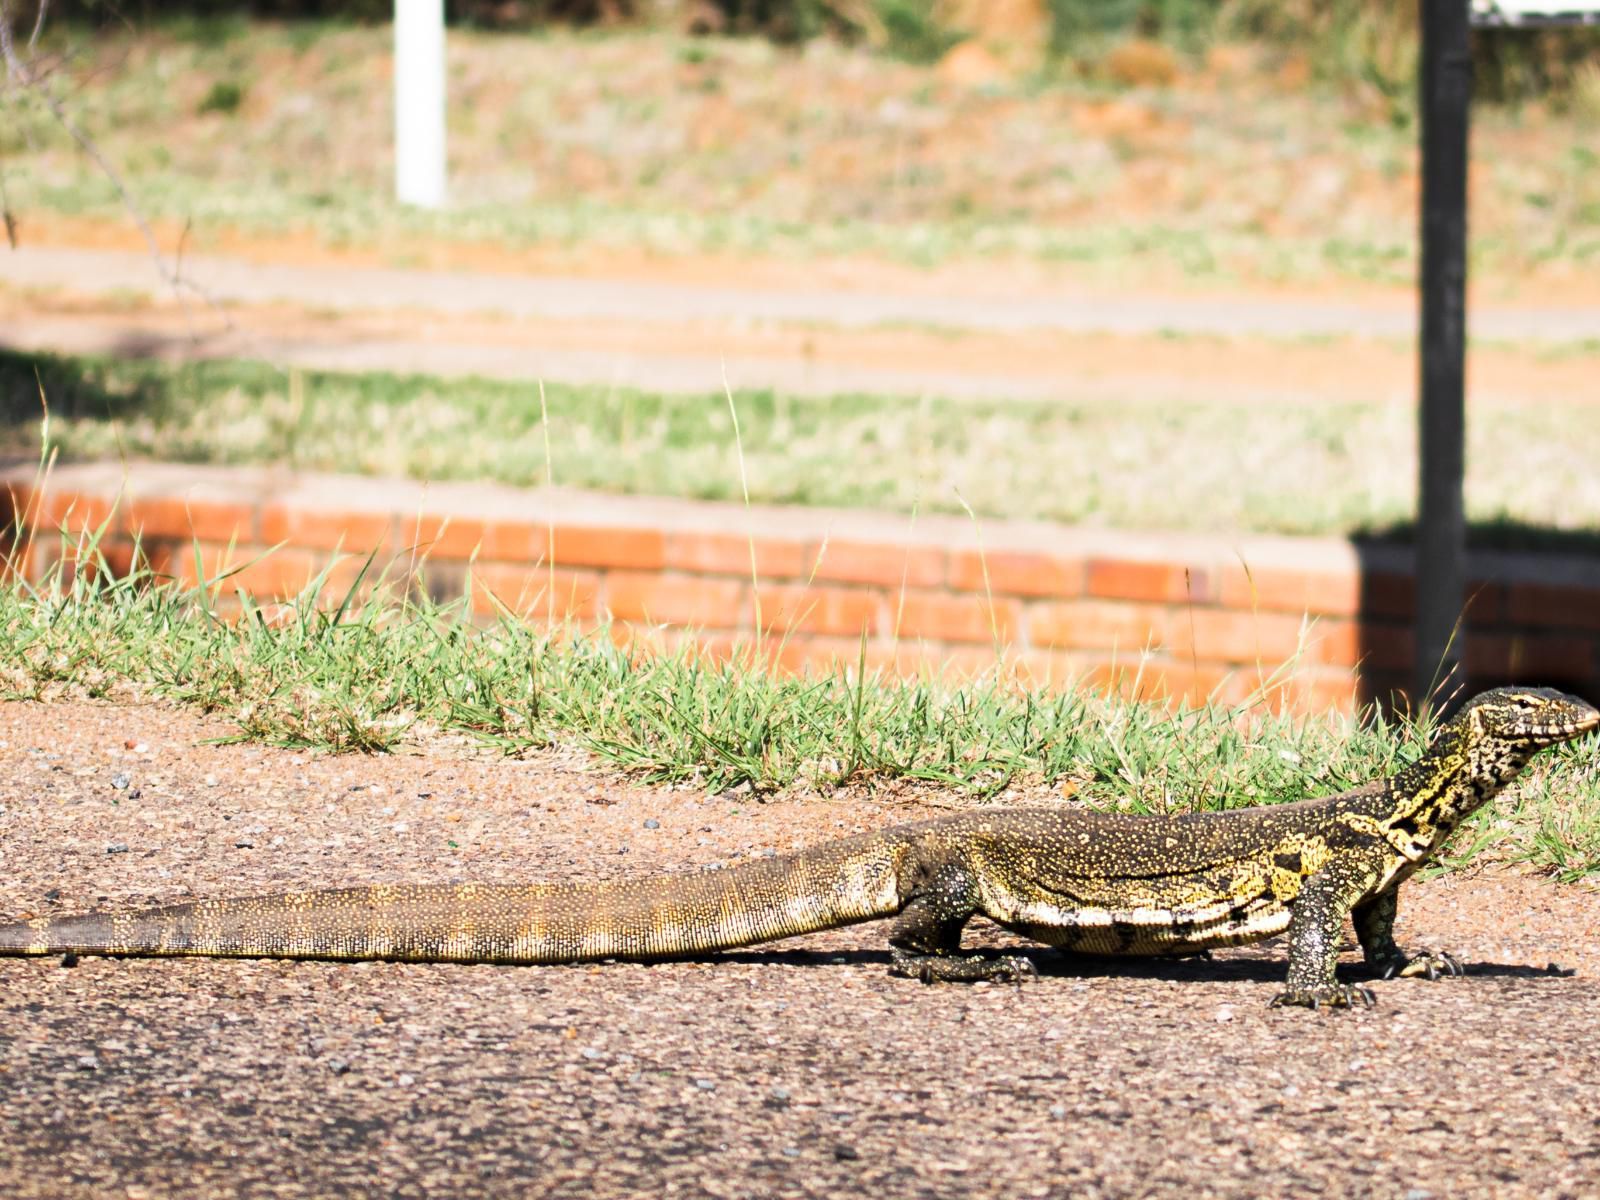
654,918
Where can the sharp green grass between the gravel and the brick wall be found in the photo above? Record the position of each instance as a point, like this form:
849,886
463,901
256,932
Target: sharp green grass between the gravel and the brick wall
370,678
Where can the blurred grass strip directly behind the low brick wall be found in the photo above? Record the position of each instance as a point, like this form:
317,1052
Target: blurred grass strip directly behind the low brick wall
1302,470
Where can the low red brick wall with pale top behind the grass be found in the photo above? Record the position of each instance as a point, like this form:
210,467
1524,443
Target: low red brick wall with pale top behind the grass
1167,617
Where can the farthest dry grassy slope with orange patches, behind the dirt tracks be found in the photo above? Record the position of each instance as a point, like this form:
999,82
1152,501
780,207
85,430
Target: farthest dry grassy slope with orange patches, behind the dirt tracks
647,142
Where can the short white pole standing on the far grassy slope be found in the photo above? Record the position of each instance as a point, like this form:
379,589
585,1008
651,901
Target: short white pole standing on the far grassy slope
420,103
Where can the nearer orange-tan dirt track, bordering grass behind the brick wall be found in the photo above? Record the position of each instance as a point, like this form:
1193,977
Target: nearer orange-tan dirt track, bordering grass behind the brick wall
676,354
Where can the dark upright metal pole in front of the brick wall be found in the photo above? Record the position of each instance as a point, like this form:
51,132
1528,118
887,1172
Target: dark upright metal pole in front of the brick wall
1441,534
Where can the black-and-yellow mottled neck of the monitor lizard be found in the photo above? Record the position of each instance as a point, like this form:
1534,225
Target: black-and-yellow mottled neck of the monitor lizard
1457,777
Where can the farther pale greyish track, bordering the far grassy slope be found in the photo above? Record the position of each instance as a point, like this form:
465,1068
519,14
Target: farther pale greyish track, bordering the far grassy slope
1060,308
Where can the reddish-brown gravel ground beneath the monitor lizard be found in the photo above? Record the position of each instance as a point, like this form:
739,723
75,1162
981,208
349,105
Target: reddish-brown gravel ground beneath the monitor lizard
791,1071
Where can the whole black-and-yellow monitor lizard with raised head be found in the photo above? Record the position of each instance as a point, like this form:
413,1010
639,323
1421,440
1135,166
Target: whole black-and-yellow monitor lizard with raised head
1073,879
